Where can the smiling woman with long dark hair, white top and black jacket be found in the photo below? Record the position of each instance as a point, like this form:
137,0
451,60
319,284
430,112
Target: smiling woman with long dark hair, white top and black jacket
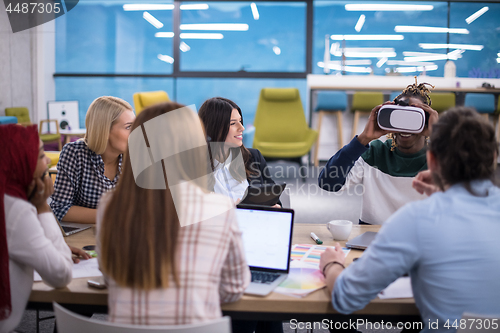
235,166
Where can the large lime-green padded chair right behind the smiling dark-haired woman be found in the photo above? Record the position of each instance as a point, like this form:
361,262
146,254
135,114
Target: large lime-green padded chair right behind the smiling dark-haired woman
281,130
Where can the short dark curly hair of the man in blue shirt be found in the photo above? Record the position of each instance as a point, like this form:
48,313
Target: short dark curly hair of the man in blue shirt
465,147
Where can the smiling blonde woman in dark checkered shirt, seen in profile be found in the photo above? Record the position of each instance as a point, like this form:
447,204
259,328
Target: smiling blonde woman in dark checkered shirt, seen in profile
92,166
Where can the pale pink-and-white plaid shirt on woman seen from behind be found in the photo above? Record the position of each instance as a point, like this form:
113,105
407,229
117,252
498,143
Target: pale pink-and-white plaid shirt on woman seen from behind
211,266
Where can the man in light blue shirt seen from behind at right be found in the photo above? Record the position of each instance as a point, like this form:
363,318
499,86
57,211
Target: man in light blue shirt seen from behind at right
448,243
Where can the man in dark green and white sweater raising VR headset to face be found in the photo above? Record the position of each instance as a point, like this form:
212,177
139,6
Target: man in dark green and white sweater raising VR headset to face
383,169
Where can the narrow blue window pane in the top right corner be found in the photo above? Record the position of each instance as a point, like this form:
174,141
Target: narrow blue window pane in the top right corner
481,46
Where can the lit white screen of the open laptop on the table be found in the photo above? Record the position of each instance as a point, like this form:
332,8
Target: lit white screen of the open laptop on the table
266,236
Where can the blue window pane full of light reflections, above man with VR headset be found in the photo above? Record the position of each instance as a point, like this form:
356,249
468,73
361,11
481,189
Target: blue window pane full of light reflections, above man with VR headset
332,18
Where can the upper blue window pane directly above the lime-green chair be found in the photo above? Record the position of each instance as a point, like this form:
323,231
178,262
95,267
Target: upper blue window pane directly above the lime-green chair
244,36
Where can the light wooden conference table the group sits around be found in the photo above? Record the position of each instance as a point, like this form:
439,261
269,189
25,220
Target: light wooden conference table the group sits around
316,306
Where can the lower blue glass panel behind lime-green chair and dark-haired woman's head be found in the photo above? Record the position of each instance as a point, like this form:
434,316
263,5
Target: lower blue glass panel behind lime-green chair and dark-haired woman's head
244,92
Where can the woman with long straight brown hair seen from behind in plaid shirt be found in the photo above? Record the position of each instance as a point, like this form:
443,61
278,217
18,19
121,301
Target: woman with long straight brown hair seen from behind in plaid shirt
172,251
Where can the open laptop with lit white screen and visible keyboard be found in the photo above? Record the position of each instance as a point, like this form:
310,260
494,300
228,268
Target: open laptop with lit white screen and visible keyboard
267,239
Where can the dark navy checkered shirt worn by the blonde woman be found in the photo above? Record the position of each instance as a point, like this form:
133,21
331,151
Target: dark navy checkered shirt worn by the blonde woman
80,179
